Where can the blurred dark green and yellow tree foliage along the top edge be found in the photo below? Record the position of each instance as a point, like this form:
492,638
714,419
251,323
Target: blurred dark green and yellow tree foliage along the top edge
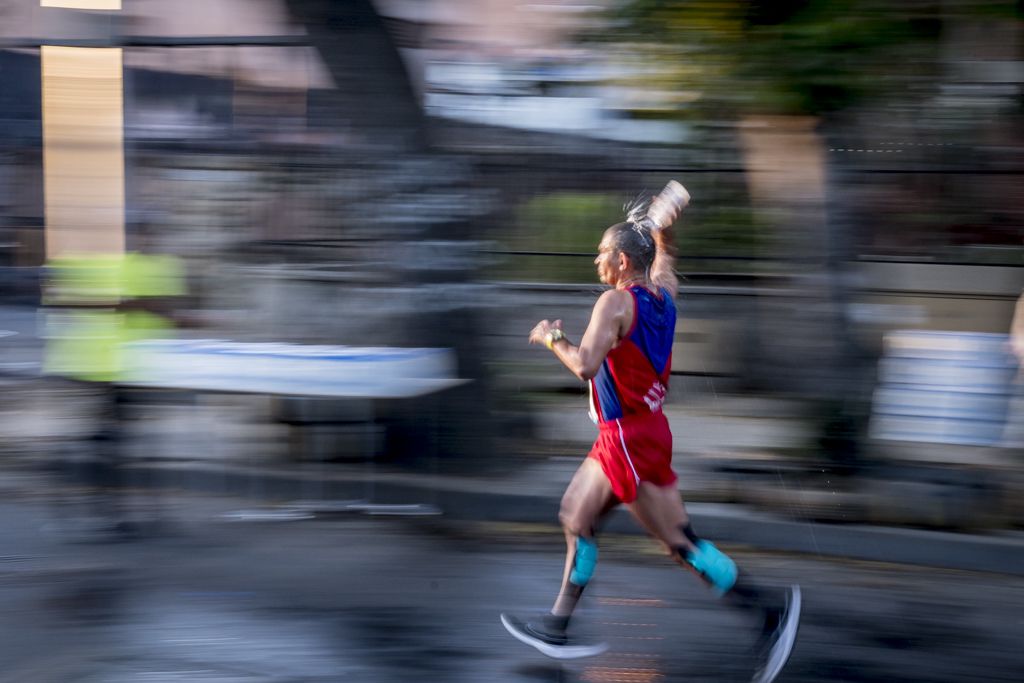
784,57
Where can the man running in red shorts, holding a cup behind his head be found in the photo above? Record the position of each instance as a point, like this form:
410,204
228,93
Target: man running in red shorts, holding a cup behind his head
626,357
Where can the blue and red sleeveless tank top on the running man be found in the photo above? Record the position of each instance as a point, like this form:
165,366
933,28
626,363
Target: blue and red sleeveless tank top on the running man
634,377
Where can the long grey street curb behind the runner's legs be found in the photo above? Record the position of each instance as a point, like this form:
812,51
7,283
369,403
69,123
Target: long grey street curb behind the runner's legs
727,524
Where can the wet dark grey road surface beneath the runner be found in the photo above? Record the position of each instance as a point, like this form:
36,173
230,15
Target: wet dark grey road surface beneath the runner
385,600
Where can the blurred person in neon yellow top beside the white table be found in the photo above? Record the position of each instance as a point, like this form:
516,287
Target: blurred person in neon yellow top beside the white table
97,305
